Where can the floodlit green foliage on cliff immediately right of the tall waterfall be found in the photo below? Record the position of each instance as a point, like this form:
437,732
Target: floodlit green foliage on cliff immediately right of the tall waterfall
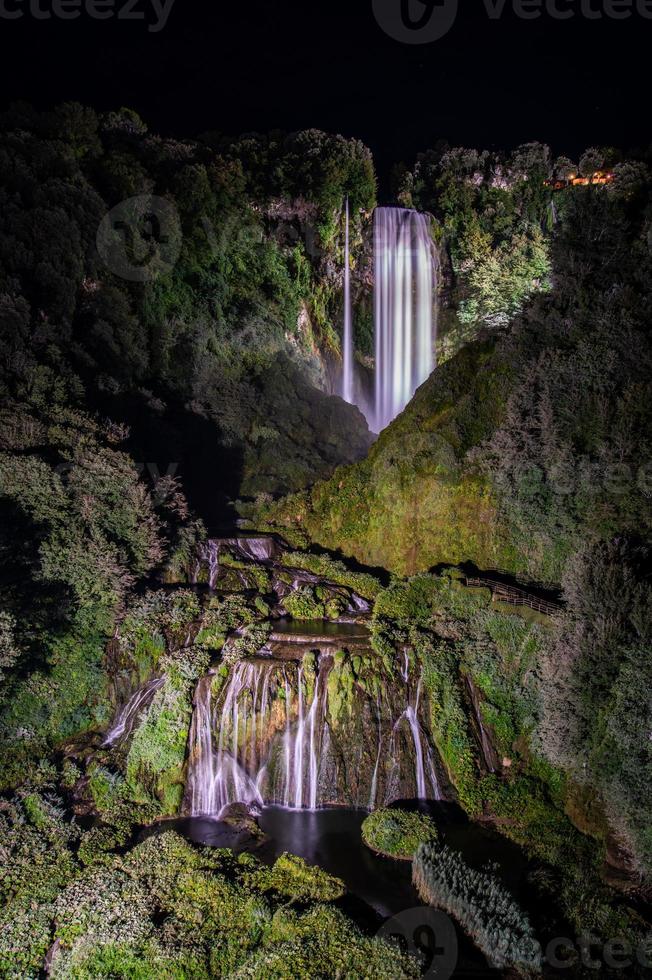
493,215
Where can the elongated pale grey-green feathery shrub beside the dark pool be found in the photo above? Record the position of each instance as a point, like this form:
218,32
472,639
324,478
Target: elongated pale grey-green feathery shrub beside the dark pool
482,906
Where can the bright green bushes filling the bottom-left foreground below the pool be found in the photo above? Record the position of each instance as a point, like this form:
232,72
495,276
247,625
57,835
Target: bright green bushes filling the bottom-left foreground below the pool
165,908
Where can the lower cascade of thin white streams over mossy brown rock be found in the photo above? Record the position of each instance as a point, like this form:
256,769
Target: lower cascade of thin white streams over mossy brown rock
303,733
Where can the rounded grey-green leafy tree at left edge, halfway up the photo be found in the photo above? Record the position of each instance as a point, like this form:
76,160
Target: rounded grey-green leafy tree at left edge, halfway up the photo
97,524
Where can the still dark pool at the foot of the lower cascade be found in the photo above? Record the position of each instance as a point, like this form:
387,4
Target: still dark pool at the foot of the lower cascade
378,887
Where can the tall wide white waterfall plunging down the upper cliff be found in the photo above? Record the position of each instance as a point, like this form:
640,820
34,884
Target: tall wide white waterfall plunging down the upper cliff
403,308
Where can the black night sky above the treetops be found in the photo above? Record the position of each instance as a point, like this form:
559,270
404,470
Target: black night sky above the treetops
237,66
